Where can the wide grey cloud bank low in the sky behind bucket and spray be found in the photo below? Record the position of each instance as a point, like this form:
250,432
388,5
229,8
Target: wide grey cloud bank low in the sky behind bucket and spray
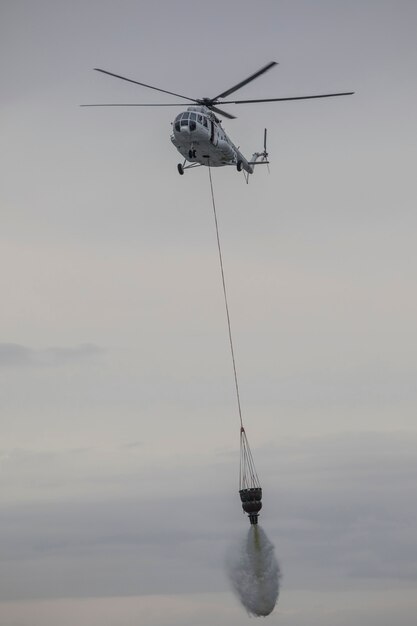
337,508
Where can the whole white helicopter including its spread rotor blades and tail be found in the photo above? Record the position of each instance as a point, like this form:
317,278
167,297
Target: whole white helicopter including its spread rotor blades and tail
198,134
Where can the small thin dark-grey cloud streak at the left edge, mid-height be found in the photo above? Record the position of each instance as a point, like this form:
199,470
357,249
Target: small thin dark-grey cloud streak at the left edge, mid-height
16,355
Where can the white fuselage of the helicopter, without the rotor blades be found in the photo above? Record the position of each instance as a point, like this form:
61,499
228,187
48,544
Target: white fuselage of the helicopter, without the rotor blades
199,137
